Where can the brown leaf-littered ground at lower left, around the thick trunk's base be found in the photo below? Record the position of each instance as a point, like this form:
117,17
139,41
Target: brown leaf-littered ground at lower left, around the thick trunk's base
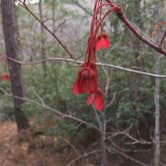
31,148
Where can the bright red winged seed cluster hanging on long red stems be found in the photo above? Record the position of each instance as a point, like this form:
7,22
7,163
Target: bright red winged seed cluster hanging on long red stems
86,81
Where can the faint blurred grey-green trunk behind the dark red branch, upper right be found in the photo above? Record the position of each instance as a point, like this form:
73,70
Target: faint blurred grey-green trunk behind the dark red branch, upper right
134,80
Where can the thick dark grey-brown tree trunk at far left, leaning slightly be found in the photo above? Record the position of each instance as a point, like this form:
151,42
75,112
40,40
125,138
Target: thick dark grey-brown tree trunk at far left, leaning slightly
11,38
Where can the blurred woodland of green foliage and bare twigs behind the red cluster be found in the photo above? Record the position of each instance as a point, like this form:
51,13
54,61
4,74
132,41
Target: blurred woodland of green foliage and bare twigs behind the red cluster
130,131
